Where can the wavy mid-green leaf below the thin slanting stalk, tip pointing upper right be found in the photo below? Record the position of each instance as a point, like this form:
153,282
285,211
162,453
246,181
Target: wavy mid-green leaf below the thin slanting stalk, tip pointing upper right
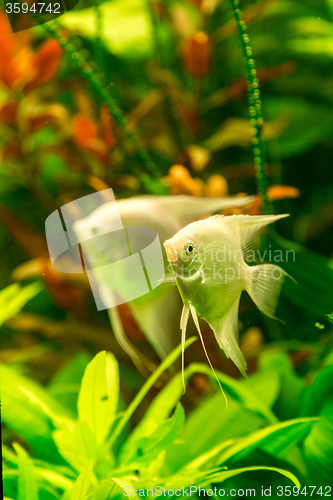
147,448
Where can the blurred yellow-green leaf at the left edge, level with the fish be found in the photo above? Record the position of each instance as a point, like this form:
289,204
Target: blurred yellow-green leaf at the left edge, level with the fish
14,298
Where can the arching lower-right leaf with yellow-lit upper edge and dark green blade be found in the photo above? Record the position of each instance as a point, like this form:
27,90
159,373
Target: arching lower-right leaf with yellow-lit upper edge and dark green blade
275,438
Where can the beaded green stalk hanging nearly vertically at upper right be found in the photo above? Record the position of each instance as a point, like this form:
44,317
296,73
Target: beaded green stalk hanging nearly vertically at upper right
259,150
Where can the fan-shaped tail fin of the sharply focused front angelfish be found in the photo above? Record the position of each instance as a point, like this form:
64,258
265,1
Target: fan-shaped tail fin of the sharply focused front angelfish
264,286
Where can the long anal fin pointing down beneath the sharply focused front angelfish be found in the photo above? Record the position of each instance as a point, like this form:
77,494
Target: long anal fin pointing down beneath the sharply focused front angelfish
226,333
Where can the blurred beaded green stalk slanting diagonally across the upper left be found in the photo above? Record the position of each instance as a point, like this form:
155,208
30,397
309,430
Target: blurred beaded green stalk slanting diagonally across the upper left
104,95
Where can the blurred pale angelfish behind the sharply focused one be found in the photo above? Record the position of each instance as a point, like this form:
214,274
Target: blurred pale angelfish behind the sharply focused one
157,313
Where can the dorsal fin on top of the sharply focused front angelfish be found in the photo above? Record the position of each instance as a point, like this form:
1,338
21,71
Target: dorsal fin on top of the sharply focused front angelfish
248,228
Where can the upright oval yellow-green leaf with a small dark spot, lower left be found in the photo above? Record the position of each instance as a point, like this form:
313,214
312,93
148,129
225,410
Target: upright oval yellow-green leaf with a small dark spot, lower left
98,396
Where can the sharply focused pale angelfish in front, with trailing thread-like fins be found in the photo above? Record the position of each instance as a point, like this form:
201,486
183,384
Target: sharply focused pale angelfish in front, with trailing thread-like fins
208,262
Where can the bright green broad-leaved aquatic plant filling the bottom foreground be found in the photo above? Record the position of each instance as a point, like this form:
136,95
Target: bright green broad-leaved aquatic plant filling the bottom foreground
93,454
